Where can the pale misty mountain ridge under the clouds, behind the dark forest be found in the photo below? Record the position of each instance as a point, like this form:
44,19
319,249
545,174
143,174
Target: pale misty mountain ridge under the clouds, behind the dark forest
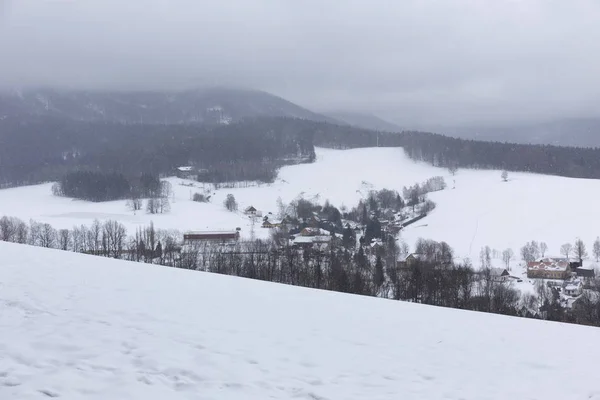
201,106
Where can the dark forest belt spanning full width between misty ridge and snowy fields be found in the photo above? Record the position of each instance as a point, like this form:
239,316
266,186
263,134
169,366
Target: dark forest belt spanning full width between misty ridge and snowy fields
44,148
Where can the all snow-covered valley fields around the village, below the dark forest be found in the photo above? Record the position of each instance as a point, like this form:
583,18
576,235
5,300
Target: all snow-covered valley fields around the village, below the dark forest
481,210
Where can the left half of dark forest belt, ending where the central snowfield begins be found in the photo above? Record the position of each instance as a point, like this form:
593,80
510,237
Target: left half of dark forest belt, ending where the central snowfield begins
34,150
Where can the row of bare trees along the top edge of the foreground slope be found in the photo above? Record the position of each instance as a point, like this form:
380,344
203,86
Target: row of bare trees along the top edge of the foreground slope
434,278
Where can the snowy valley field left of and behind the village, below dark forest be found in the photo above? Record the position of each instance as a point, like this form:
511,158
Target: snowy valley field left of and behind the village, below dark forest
335,176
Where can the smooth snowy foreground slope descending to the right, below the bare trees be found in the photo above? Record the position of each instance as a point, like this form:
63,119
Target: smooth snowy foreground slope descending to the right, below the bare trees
79,327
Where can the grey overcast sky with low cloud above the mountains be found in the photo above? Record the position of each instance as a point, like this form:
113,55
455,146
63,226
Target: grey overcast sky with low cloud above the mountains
445,61
